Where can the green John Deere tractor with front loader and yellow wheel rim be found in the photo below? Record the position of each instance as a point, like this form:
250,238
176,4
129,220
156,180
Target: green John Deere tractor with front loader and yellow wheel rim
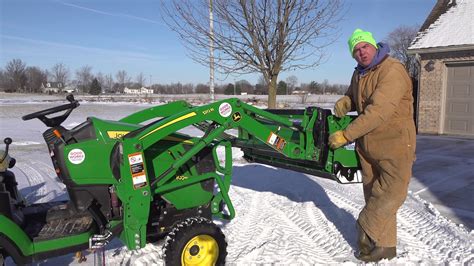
139,179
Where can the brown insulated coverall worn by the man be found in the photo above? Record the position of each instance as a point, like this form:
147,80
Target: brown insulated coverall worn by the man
385,135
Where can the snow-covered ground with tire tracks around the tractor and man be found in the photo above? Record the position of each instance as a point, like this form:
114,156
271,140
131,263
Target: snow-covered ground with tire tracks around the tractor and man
283,217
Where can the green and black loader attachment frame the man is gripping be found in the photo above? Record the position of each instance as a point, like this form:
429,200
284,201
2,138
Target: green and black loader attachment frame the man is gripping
312,125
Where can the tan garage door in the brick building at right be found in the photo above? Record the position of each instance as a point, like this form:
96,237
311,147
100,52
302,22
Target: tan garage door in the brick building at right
459,118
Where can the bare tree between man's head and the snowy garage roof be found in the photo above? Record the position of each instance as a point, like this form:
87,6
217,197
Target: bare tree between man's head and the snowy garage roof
399,40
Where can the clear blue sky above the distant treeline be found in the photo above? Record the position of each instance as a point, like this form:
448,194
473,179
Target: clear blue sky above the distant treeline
112,35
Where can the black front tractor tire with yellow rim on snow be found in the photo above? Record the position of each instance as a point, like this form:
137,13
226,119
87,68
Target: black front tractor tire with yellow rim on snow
195,241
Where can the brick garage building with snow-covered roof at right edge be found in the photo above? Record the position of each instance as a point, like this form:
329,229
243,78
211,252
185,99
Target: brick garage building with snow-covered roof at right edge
444,46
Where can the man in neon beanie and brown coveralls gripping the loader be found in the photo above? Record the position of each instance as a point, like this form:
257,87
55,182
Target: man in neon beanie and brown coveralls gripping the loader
381,93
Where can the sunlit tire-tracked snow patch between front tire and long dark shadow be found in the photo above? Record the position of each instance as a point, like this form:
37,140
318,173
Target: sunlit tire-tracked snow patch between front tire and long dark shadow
281,233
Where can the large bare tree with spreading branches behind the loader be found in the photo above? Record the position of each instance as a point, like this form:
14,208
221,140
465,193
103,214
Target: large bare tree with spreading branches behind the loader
266,36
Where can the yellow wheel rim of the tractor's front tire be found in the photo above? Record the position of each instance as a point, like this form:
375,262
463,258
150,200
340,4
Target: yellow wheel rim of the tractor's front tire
200,250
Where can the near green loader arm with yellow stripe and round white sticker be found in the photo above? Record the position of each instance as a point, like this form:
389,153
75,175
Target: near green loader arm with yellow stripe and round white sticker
238,115
